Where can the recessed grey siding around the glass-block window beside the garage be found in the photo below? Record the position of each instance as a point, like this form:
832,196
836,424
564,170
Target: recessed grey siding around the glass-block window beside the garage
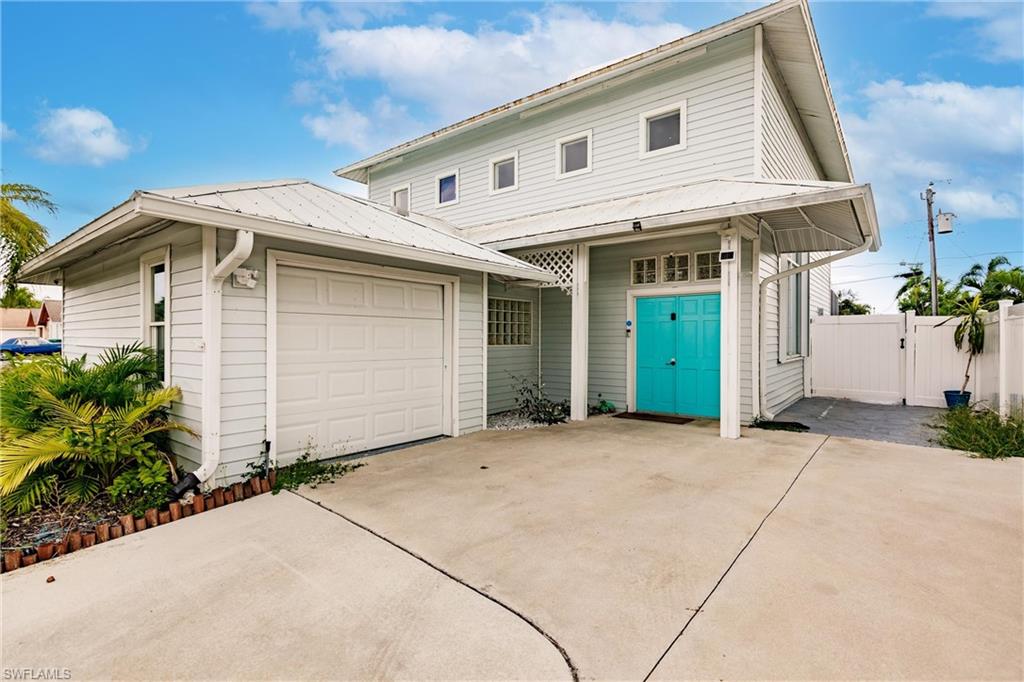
505,364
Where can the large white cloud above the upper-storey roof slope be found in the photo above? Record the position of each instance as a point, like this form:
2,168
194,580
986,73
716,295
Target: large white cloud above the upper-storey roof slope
418,63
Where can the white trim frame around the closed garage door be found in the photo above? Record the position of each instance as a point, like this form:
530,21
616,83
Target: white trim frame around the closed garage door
450,283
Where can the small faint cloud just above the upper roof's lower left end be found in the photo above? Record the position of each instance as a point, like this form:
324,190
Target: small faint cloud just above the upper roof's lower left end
340,124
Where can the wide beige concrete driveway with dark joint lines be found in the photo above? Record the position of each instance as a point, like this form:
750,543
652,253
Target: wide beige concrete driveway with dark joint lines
632,549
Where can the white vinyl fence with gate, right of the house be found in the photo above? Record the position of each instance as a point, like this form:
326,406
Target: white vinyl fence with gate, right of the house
913,360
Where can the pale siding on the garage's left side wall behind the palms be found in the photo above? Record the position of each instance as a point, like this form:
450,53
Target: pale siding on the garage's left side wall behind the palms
103,309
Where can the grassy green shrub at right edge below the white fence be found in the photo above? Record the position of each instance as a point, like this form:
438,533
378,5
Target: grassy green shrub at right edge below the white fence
983,433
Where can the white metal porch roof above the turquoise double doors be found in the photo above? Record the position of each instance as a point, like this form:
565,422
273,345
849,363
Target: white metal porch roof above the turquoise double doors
806,216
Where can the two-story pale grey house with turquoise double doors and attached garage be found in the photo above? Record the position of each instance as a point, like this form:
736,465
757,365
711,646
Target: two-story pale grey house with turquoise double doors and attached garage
657,234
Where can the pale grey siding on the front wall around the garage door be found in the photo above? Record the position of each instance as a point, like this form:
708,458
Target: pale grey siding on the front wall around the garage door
244,355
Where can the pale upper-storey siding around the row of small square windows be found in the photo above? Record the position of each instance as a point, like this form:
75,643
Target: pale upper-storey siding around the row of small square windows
719,93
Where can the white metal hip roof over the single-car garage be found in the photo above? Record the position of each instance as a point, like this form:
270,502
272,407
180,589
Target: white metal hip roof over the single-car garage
292,209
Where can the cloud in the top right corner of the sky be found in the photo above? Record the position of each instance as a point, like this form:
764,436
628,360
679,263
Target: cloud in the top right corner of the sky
998,28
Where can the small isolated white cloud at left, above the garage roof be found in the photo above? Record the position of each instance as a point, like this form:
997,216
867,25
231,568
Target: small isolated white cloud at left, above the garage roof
80,136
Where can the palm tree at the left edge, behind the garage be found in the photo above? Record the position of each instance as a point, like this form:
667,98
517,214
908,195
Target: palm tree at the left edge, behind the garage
21,237
